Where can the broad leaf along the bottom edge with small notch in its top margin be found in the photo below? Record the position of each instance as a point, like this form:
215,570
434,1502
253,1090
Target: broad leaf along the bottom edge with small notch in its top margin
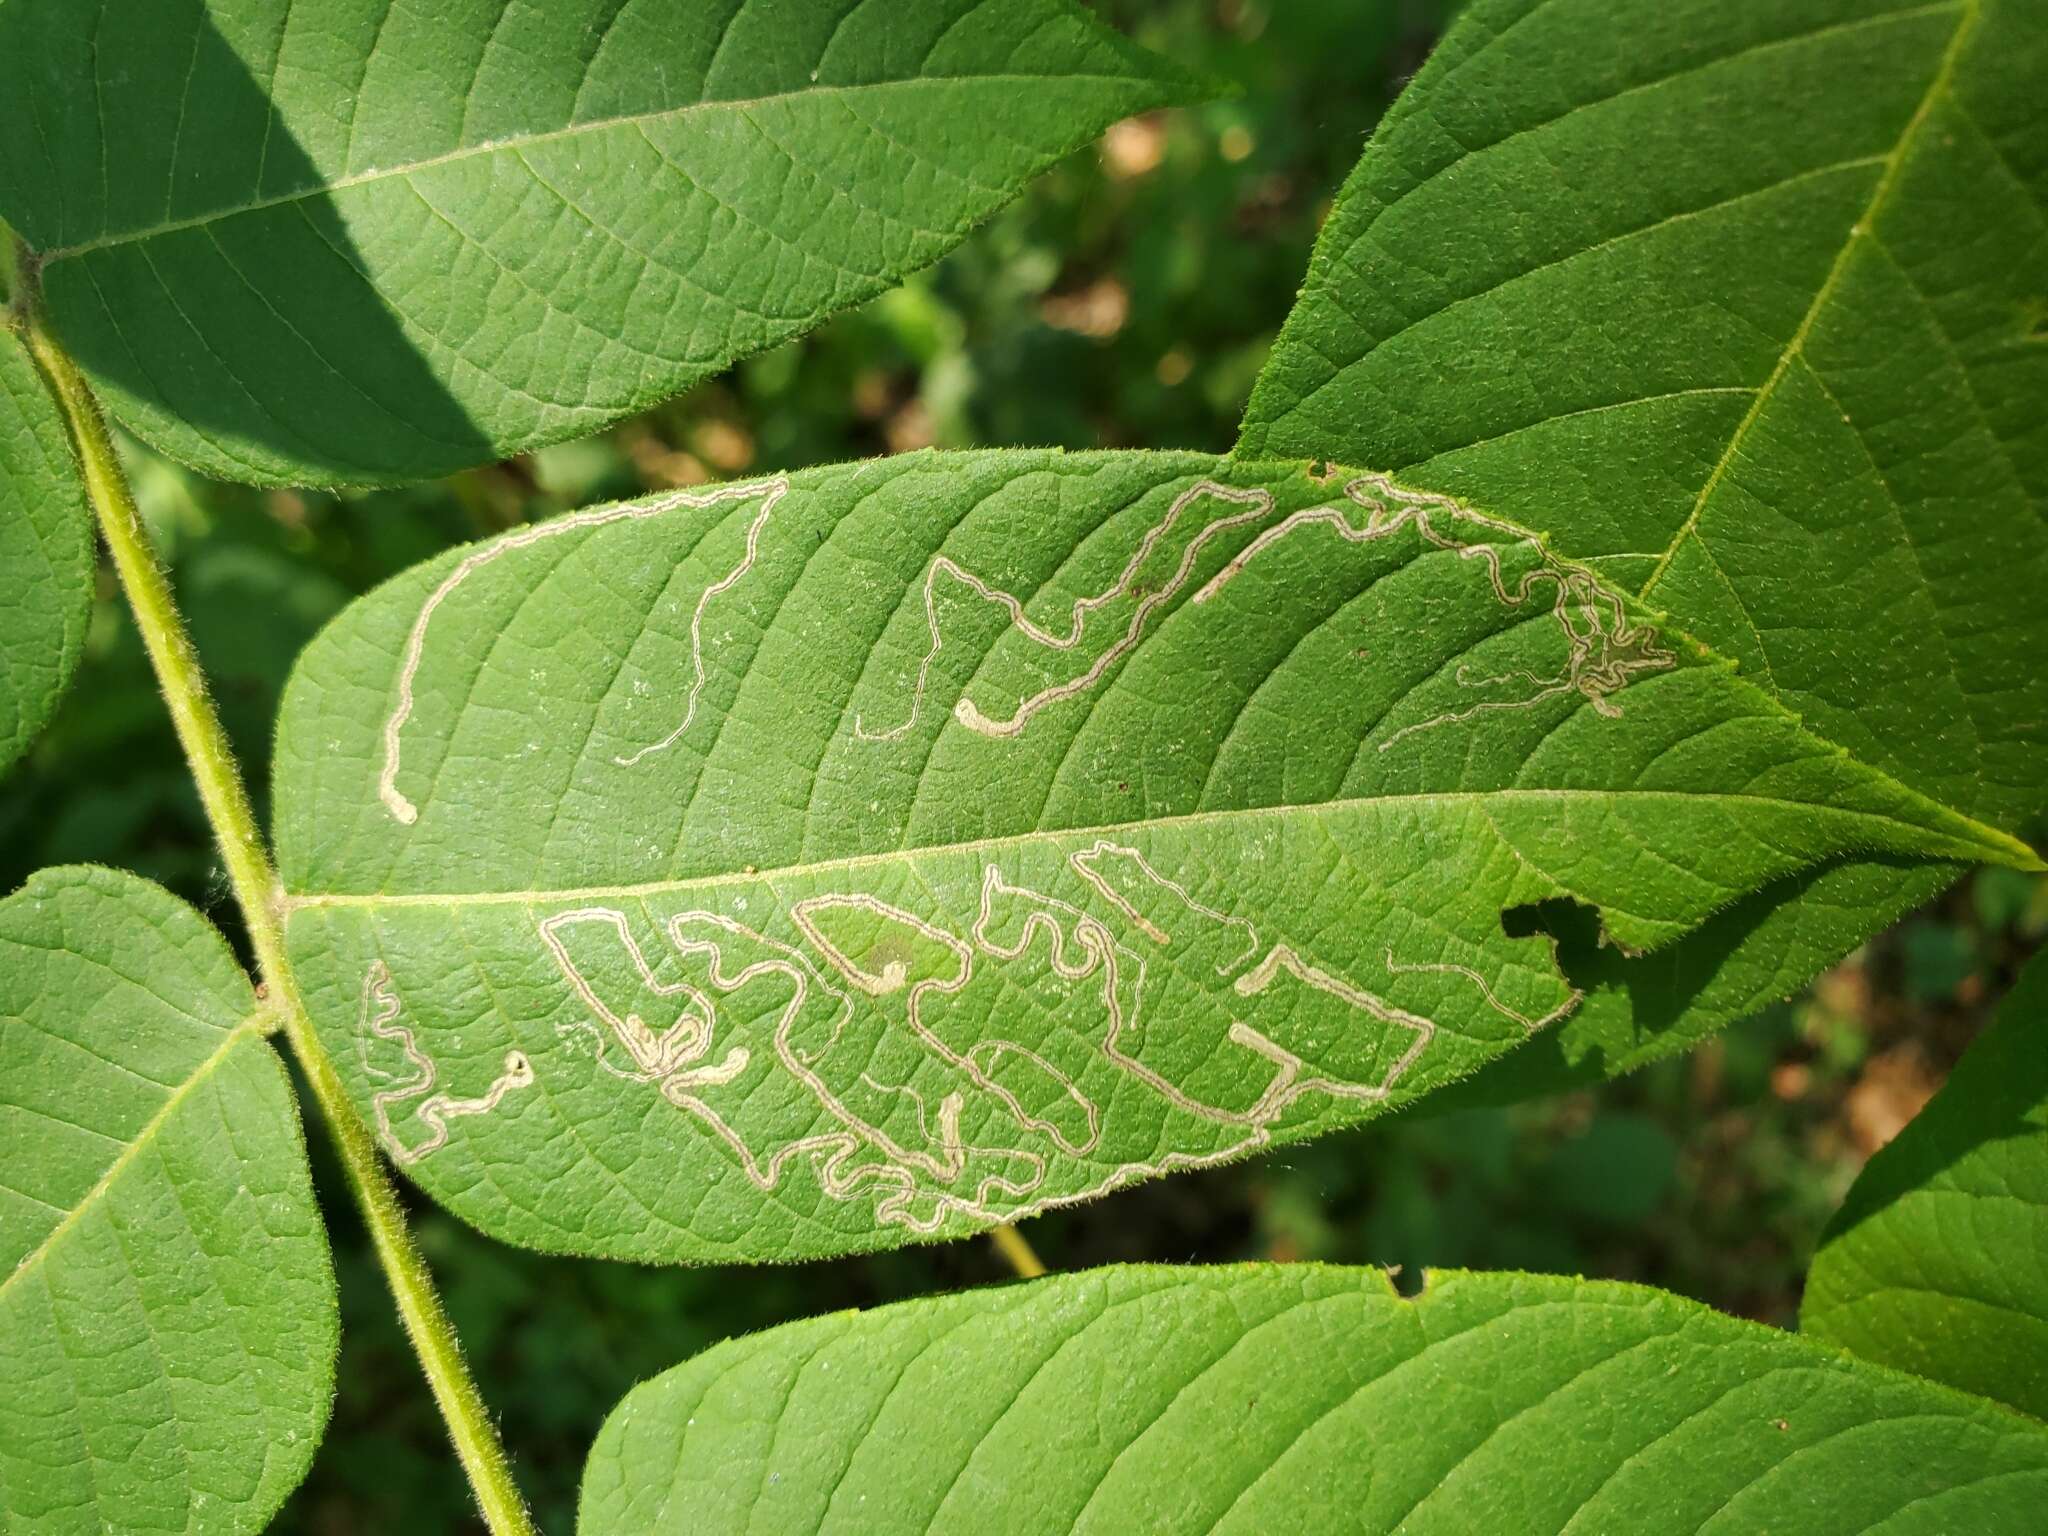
1304,1398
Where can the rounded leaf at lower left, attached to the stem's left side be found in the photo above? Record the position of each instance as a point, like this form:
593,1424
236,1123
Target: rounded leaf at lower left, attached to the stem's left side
167,1306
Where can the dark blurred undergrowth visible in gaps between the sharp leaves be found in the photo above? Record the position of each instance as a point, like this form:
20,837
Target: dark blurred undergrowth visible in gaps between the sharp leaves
1125,302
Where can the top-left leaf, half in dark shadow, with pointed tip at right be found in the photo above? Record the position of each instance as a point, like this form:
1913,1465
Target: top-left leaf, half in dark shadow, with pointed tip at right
353,241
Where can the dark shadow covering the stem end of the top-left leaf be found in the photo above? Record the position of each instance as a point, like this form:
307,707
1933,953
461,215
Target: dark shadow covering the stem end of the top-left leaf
247,343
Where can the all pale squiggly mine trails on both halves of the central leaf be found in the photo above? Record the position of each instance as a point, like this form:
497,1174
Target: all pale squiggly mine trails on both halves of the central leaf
994,1129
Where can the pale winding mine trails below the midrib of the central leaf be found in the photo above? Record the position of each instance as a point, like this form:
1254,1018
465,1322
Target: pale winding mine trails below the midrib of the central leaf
835,1009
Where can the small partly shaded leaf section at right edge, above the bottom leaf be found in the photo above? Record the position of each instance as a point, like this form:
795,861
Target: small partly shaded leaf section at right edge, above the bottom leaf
1938,1261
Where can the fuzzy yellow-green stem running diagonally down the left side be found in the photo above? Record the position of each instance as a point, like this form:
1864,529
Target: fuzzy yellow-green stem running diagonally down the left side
257,890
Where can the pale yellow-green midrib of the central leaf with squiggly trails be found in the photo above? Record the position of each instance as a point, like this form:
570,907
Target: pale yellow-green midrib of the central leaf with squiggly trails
1996,847
